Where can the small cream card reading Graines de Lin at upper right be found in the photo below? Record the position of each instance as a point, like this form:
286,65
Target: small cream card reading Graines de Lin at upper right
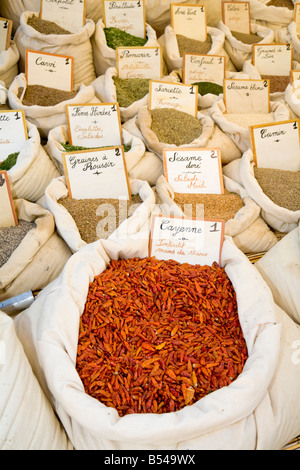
273,59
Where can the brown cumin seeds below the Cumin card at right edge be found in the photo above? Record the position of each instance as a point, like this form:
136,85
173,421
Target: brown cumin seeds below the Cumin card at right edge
281,186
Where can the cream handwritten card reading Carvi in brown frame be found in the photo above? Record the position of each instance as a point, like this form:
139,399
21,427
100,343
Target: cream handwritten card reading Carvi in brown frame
49,70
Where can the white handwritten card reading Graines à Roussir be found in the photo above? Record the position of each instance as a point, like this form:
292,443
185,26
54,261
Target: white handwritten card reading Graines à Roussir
93,174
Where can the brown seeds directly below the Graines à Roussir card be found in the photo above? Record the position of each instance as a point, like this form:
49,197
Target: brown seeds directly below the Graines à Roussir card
89,213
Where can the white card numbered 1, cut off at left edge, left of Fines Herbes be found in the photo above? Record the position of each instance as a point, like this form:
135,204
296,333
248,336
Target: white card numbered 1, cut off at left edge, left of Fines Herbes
13,132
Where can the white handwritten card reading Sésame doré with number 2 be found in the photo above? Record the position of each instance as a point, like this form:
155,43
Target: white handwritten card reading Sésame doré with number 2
196,170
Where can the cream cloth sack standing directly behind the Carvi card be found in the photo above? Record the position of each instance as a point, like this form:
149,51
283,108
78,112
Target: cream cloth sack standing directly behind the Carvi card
77,45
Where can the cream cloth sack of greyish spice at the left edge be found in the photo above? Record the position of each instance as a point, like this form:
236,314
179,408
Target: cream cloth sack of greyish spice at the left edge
40,256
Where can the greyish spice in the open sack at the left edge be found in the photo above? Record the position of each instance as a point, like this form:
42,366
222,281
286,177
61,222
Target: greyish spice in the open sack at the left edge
11,237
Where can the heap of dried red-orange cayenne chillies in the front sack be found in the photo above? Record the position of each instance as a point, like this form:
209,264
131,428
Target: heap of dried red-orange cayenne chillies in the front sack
156,336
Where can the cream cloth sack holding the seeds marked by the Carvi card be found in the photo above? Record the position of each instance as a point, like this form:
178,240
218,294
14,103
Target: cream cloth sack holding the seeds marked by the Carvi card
47,117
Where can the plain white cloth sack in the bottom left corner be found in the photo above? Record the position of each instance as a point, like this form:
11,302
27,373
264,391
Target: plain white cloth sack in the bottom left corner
27,419
